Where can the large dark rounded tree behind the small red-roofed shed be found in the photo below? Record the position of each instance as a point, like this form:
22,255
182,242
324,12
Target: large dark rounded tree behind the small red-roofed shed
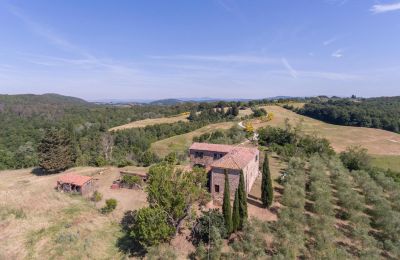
56,151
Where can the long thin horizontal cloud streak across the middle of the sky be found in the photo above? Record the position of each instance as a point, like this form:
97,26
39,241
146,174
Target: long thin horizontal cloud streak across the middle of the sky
236,58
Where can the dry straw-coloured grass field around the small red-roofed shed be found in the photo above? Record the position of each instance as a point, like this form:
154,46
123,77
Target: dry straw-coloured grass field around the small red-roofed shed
37,222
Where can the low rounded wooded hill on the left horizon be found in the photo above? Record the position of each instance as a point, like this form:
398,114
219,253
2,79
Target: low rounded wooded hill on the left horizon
29,104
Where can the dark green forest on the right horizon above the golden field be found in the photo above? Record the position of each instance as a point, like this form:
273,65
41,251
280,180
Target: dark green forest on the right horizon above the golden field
382,112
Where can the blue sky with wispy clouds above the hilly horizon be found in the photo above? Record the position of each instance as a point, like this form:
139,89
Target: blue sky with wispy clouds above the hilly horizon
147,49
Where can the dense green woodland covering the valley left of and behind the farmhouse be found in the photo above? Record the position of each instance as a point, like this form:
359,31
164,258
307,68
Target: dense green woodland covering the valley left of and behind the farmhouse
26,119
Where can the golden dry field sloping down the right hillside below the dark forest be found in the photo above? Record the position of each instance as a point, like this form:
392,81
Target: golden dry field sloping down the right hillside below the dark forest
378,142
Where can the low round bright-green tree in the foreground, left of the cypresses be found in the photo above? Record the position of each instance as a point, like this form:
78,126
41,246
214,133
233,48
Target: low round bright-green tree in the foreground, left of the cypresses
150,227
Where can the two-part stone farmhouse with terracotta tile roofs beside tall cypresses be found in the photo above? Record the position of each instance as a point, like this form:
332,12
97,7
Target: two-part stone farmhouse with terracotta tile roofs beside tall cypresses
218,158
